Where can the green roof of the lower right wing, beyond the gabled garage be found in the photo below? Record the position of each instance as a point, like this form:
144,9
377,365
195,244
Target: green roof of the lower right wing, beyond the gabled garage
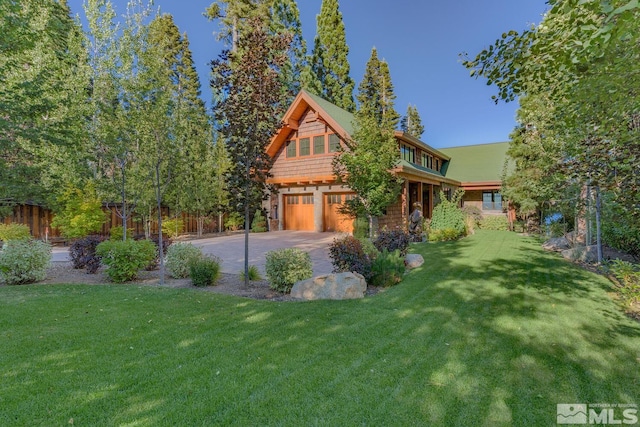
476,163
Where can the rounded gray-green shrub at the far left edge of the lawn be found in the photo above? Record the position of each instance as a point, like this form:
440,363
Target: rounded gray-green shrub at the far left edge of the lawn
24,261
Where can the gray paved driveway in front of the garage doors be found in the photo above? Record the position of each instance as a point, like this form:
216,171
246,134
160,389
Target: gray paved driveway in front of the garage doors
230,249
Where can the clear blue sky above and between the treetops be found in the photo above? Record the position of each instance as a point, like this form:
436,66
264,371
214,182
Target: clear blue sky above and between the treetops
419,39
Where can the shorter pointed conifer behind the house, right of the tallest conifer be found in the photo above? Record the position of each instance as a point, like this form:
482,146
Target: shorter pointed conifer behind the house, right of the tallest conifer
375,93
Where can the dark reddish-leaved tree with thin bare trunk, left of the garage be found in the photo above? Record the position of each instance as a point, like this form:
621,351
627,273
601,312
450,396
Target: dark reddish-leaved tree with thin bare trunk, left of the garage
250,79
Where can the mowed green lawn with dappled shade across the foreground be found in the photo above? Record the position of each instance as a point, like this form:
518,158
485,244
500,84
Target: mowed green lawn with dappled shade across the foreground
490,331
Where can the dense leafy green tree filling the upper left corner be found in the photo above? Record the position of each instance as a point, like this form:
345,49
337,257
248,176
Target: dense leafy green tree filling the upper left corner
43,81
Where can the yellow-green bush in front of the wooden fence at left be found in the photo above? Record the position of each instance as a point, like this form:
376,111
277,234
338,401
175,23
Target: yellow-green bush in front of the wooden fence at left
80,212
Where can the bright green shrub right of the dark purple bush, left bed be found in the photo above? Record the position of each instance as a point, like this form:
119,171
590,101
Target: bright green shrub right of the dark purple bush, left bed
125,258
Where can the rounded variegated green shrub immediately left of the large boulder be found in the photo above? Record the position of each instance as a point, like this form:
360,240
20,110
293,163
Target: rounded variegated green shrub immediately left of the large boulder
285,267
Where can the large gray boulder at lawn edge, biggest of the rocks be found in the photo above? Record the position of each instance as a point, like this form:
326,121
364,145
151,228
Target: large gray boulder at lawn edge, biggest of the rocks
331,286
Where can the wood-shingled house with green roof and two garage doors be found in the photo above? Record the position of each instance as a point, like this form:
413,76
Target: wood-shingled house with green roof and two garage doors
307,195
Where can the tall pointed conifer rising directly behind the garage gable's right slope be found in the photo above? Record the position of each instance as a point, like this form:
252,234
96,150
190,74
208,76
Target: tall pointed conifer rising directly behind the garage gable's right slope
328,75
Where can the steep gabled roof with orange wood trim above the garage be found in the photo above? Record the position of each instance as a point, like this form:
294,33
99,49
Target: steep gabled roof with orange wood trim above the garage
339,120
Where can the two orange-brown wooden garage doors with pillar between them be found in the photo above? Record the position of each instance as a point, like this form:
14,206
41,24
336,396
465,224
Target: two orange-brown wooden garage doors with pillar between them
301,212
